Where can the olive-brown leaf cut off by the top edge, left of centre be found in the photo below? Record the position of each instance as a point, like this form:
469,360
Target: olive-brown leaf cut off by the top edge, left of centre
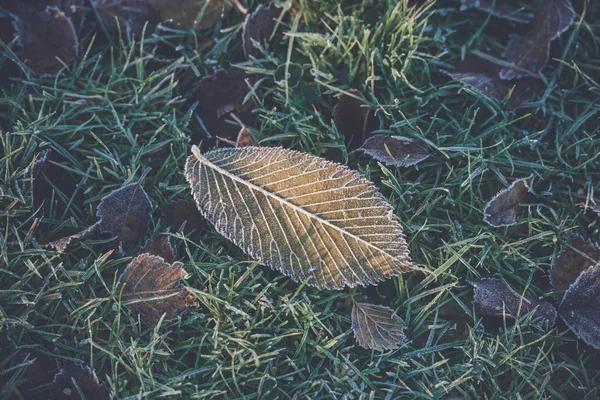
185,13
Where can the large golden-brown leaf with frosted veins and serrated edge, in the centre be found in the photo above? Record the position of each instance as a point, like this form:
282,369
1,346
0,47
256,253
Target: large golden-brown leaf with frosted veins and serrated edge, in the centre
302,215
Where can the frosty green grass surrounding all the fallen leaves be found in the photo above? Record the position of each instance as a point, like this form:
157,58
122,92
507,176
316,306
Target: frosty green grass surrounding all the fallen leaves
255,333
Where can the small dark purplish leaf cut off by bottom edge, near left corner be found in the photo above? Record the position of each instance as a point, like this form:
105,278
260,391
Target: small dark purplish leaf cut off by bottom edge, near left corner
73,381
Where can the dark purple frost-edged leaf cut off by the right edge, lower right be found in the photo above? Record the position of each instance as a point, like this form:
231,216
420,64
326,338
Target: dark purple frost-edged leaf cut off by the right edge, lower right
580,308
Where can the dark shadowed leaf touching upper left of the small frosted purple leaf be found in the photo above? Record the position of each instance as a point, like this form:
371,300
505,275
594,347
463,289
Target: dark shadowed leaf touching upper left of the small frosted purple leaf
353,118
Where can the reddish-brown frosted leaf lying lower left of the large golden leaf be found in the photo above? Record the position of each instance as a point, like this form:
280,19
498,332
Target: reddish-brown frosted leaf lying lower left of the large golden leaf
151,287
